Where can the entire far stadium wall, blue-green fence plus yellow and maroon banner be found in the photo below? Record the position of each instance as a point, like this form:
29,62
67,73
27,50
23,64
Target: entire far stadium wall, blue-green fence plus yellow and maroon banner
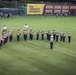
41,9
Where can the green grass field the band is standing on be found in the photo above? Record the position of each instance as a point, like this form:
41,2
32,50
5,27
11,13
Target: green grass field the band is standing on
35,57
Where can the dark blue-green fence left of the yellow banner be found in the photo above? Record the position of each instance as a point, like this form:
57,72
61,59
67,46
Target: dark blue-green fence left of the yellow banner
20,10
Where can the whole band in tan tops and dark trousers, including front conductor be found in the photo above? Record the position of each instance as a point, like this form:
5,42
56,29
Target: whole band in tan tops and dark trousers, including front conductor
51,36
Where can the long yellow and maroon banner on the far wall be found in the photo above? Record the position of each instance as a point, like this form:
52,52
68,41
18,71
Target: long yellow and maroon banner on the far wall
51,9
